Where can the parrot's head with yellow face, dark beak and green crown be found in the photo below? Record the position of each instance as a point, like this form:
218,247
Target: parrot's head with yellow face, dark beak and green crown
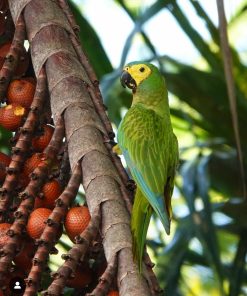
138,75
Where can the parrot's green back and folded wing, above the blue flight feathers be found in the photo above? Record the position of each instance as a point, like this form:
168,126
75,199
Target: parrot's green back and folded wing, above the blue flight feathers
142,134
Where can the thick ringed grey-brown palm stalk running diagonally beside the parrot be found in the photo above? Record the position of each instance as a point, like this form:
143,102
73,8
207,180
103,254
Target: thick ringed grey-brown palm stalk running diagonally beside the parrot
49,34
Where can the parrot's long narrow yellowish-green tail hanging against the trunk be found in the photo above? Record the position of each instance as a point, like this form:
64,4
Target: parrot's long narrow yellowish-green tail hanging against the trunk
140,219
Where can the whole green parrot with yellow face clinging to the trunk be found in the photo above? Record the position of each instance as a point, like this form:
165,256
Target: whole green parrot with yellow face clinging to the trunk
150,148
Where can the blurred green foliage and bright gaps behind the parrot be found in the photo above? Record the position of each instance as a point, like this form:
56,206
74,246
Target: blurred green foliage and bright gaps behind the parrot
206,251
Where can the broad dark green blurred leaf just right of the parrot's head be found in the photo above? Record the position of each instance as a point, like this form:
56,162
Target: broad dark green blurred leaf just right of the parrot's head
206,93
